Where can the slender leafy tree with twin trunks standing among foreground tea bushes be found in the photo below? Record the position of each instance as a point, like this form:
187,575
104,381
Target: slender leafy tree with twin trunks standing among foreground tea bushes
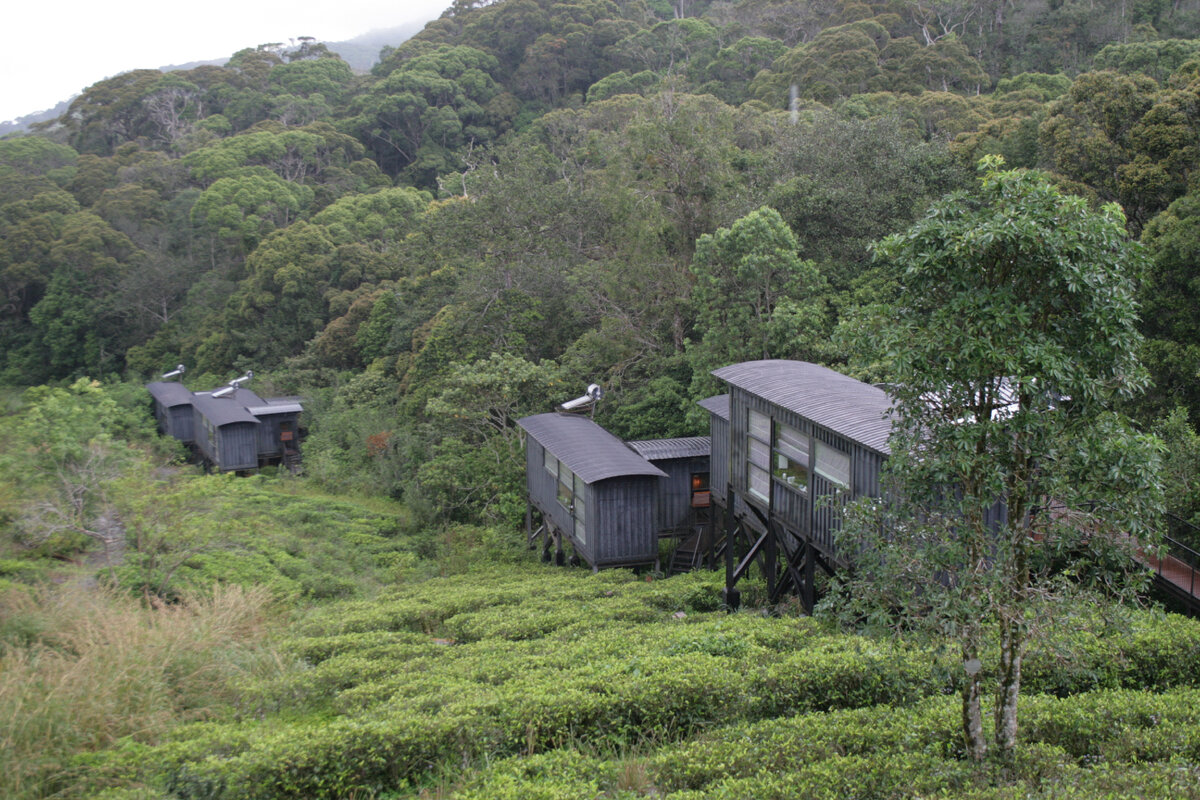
1013,335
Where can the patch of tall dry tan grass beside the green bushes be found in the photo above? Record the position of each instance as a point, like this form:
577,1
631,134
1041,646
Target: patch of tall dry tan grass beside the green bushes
85,667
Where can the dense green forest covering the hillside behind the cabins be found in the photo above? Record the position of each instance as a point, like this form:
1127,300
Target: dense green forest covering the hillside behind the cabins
509,207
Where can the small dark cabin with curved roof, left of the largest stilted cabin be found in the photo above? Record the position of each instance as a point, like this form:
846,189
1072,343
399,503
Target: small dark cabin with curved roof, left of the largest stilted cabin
591,490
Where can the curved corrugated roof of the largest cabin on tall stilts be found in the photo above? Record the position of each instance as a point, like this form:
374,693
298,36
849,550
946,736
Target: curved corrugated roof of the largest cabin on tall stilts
856,411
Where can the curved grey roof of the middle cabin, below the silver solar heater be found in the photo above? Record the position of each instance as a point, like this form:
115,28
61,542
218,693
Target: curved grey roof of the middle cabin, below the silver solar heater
589,450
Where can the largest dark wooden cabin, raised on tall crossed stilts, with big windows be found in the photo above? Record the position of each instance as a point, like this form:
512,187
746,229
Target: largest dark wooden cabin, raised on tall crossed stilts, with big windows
802,441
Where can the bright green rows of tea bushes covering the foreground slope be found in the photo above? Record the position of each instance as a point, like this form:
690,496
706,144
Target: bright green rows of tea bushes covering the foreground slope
520,681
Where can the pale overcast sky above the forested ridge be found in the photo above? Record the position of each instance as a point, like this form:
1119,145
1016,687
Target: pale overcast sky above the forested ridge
53,51
